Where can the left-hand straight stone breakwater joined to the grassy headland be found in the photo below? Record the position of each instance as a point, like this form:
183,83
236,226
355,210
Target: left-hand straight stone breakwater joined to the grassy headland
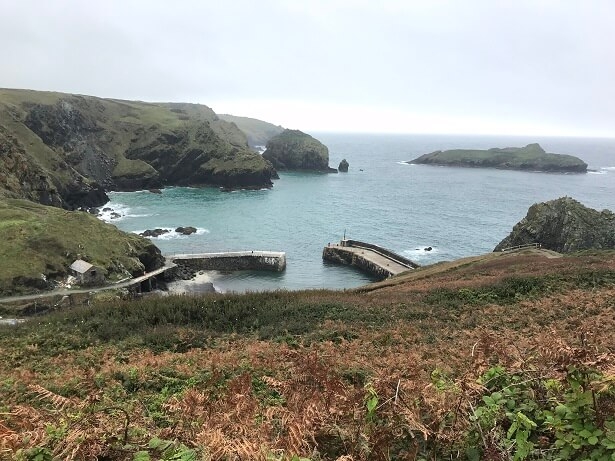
232,261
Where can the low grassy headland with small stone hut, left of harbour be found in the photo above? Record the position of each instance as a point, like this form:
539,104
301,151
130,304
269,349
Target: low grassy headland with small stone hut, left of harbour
40,242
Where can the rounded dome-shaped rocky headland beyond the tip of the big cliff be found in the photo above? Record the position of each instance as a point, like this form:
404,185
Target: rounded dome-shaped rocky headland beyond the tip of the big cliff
295,150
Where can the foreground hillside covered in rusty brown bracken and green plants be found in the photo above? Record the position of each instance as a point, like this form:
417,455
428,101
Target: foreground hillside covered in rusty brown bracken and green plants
498,357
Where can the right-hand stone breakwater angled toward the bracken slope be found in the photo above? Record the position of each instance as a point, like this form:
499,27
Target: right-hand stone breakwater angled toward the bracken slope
370,258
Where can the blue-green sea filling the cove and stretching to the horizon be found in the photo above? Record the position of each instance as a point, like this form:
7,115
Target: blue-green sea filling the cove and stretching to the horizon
457,212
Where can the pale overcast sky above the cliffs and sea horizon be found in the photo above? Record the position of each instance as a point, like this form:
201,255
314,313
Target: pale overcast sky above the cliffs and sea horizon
525,67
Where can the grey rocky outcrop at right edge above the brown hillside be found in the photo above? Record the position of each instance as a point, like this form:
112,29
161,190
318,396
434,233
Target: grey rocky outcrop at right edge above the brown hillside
563,225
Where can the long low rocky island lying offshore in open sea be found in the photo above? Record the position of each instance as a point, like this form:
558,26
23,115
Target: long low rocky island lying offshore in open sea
530,158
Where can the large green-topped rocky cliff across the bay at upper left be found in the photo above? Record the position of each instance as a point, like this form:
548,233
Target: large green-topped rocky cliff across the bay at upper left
70,148
